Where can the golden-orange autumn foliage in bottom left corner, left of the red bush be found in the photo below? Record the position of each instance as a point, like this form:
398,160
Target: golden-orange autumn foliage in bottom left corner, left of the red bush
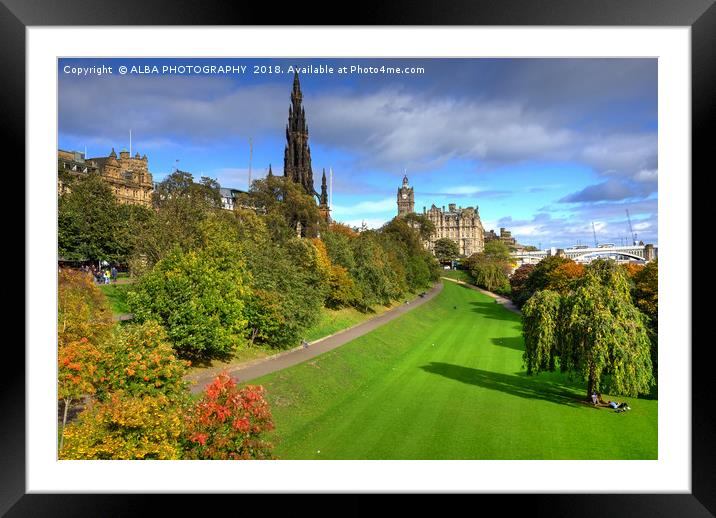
139,399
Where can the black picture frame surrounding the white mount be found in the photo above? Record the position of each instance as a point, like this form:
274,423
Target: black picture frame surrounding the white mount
700,15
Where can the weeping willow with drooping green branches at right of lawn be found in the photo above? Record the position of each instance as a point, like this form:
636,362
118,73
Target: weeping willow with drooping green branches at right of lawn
594,332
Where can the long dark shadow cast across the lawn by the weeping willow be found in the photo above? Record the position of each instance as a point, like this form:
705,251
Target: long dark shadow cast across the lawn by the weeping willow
520,386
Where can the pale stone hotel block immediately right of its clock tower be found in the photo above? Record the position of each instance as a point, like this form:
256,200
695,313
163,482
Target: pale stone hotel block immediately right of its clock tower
461,225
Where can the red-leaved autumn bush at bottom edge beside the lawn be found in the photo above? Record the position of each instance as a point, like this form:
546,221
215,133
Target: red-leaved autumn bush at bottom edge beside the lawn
229,423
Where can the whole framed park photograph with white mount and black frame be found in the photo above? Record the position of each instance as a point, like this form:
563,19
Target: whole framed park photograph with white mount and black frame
569,132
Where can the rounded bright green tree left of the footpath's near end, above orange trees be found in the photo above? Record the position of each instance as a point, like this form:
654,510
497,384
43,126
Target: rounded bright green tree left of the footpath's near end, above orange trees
198,297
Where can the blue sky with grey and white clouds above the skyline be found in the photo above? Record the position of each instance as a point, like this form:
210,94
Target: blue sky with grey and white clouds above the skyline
551,149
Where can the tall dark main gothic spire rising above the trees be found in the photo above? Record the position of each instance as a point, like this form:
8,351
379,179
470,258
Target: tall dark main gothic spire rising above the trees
297,154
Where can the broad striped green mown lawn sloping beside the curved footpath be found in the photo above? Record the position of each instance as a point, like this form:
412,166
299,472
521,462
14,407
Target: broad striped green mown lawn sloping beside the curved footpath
445,381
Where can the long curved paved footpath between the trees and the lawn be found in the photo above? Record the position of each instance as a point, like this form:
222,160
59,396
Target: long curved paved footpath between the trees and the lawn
247,371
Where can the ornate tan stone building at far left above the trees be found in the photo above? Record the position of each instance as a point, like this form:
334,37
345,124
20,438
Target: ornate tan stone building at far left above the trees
129,177
